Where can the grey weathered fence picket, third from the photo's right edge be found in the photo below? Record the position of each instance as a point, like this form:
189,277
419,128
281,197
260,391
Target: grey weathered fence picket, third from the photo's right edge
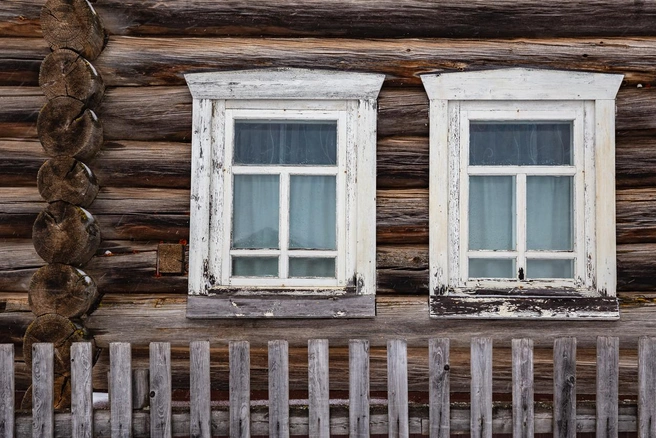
564,416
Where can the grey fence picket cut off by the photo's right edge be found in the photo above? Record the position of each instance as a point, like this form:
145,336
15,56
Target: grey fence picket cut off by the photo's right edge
647,387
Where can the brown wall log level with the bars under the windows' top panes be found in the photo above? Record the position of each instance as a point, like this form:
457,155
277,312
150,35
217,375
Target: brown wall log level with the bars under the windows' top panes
402,162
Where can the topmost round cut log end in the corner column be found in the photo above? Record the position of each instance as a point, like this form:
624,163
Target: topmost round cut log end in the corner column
73,24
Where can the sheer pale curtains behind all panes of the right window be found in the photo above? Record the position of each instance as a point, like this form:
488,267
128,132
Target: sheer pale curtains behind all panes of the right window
548,203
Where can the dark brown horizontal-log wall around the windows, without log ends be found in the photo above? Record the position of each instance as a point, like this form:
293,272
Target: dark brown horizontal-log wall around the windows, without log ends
144,166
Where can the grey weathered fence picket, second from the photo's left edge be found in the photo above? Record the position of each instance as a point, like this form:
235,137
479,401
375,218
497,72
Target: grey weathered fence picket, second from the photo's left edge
43,419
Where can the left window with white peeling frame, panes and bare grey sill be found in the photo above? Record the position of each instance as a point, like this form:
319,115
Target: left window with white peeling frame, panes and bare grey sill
283,191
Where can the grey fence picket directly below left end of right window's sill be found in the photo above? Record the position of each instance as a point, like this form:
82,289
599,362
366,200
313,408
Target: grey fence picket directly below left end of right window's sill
439,388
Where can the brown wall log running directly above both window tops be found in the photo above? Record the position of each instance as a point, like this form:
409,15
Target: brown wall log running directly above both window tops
163,61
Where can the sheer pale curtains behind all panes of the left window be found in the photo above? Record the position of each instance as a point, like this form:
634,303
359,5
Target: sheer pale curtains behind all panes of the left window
312,198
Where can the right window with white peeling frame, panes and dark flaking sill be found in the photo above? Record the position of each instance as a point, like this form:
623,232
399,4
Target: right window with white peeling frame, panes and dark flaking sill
522,206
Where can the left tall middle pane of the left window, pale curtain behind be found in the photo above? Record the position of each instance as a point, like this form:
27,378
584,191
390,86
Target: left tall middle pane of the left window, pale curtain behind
255,214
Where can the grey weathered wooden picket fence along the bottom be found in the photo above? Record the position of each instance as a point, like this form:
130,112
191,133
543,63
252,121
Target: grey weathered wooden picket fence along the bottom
200,419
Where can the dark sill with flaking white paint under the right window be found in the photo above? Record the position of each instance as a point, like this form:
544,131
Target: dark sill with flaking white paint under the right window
524,307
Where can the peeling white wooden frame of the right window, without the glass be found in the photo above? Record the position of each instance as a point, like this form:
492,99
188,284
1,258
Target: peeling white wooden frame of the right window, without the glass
586,99
